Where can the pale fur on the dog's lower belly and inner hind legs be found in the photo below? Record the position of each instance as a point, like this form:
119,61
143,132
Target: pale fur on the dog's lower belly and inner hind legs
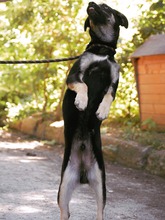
71,177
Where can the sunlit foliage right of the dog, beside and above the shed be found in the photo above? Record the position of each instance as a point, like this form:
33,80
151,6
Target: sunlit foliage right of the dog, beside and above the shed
150,22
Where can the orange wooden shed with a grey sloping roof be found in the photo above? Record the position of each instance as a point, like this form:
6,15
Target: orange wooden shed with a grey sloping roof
149,65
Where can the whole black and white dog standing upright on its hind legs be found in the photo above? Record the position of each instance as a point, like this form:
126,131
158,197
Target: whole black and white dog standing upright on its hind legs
92,84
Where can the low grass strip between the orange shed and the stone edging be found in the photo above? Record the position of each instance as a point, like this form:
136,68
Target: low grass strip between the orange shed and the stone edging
132,131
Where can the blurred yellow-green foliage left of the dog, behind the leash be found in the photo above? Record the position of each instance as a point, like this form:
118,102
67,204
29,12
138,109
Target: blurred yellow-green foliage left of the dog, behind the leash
38,30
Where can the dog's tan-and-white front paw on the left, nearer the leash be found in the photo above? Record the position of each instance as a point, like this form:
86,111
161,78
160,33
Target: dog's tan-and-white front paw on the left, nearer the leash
81,99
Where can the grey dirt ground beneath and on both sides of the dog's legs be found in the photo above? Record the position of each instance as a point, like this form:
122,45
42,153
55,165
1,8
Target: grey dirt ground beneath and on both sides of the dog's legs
30,175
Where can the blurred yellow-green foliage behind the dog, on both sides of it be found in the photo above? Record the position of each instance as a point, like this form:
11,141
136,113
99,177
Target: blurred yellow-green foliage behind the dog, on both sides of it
52,29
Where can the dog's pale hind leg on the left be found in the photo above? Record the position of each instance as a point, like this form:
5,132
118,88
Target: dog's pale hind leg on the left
68,184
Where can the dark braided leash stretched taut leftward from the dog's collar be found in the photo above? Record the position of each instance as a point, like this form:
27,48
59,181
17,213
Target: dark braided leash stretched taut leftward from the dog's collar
38,61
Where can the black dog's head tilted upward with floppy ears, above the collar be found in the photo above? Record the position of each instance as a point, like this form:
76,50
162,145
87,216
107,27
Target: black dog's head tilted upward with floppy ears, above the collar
104,22
